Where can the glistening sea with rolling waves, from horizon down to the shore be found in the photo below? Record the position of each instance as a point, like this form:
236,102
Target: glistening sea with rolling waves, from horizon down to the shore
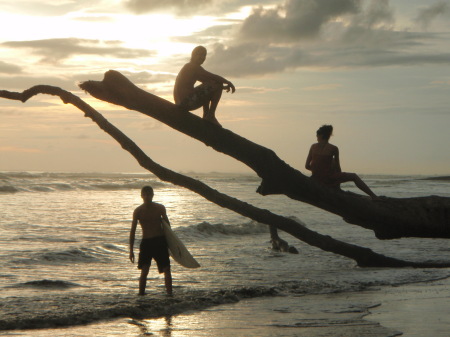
65,269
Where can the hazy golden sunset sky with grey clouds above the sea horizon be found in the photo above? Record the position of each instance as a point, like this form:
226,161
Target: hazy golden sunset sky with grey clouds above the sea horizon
378,71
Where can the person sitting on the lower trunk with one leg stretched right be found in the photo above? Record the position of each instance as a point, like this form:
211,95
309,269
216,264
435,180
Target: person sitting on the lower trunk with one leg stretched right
323,162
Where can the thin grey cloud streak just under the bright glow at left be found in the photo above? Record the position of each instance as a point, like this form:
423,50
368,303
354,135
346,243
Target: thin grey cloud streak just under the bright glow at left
55,50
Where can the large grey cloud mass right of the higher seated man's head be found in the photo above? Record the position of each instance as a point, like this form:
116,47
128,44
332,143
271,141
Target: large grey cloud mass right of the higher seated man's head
323,34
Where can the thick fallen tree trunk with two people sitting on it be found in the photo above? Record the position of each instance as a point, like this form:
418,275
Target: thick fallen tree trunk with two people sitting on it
427,217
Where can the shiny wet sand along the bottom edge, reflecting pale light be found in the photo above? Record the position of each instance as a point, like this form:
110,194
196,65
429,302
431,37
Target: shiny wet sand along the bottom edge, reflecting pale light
412,310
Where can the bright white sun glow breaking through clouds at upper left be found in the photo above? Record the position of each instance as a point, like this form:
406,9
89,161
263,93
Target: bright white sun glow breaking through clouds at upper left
154,32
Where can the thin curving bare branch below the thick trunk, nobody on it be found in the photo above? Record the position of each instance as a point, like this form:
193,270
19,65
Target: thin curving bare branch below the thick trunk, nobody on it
364,257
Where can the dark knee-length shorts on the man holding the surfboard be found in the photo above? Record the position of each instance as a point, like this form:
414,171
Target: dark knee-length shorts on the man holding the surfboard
154,248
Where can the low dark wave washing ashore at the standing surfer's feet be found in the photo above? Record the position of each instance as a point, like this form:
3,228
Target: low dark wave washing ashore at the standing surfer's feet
69,309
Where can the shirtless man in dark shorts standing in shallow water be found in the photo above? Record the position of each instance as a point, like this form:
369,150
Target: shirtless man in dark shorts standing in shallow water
153,244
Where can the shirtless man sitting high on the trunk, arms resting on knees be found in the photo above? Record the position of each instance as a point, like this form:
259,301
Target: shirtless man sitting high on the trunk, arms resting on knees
207,94
